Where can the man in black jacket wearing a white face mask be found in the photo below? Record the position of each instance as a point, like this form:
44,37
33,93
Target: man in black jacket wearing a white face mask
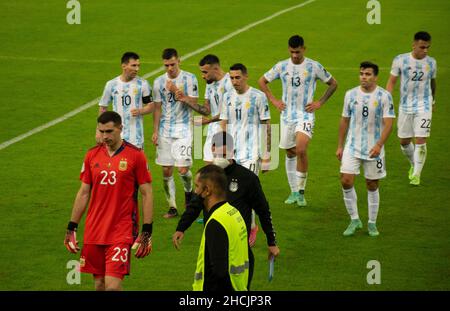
244,192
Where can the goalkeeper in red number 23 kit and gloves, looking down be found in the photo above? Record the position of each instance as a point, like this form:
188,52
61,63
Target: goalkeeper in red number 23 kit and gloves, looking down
111,175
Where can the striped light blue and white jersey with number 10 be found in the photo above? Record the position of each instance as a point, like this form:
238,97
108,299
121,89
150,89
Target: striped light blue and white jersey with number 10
125,96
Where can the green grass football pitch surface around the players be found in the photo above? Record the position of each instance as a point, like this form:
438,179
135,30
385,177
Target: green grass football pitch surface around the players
50,68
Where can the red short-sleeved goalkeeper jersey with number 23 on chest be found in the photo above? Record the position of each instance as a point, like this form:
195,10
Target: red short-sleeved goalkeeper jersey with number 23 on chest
113,215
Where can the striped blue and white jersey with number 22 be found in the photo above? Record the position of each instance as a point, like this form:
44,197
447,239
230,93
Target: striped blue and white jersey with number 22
415,82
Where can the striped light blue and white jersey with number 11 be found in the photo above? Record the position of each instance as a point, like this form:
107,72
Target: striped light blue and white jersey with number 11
244,113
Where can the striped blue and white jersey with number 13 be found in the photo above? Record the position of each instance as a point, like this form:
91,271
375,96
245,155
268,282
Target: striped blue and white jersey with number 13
299,84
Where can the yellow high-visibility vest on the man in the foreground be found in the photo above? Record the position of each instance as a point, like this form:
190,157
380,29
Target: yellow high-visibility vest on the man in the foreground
238,264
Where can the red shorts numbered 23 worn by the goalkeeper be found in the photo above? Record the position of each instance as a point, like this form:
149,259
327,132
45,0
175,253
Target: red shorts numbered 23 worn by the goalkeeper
101,260
